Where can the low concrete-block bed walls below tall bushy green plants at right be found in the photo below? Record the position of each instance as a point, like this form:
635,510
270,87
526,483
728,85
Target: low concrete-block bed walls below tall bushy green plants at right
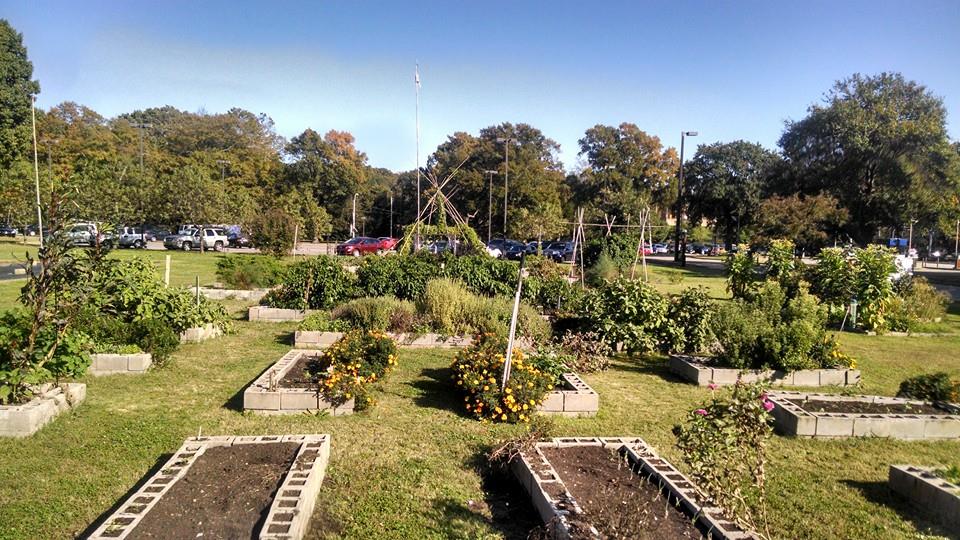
699,370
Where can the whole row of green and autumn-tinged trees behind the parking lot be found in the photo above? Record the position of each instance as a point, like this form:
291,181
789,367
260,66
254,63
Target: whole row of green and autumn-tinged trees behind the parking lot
869,159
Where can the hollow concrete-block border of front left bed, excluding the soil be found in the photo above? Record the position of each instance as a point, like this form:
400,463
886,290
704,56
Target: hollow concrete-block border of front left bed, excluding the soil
289,513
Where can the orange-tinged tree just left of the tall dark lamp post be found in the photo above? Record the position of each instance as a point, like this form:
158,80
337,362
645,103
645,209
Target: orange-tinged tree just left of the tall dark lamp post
627,170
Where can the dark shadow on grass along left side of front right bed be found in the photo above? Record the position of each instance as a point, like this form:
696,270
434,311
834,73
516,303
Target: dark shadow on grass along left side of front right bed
508,505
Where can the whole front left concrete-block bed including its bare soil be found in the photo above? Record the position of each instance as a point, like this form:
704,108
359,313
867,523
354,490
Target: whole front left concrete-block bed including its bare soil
227,487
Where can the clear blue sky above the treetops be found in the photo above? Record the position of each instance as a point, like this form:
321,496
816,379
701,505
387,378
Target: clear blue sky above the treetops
731,70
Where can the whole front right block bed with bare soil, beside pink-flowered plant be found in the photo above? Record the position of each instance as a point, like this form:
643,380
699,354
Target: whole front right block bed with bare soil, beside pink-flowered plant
580,485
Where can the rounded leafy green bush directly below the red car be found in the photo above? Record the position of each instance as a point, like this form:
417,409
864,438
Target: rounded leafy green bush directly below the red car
315,283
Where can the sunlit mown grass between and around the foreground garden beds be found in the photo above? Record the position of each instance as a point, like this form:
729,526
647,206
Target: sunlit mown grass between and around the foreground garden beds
411,467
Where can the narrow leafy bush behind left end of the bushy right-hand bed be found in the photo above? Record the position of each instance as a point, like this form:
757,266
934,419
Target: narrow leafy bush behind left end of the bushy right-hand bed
688,321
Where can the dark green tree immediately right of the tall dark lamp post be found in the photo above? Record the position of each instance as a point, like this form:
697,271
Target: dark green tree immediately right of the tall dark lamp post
724,182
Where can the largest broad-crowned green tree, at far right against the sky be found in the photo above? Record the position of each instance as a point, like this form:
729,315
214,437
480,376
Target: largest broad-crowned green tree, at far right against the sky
876,144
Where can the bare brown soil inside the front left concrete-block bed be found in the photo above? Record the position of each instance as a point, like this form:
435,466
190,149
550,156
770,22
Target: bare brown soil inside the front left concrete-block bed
226,494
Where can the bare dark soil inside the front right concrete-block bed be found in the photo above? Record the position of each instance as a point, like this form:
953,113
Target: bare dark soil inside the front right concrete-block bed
616,501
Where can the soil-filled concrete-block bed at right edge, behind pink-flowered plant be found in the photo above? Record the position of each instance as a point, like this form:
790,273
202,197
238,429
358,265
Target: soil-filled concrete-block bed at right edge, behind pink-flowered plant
831,416
